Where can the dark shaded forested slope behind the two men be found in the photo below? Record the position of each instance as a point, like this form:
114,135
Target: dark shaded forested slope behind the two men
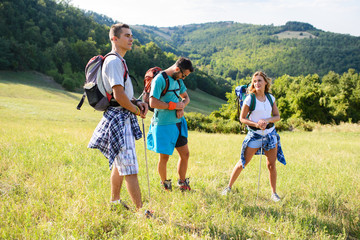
58,39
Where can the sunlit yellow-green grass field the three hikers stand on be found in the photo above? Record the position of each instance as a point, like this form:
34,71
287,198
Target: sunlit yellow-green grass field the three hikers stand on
53,187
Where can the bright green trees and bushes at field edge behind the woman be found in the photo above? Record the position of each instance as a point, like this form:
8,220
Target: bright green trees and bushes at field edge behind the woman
302,101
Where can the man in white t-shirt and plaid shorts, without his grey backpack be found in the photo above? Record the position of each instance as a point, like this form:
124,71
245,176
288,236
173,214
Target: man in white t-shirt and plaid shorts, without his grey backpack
116,132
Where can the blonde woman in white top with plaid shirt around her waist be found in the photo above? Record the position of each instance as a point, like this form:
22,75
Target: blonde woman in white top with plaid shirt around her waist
261,131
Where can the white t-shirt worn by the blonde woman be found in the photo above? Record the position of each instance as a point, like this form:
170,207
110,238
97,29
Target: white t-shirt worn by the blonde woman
262,110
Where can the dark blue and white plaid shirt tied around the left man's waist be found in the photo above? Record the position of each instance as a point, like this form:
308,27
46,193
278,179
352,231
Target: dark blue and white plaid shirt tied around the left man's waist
109,135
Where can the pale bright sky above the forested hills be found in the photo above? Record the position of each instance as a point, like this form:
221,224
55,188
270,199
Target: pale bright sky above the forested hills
339,16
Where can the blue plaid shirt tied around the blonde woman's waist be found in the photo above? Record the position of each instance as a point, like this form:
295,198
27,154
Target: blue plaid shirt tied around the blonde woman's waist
268,143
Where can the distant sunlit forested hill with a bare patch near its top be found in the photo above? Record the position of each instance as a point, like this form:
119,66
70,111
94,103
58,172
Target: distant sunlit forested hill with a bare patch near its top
234,50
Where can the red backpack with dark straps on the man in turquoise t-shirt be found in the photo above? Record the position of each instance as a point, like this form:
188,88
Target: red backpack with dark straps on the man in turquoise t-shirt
149,76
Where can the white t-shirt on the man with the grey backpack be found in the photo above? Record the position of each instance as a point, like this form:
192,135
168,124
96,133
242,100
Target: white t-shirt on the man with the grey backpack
113,74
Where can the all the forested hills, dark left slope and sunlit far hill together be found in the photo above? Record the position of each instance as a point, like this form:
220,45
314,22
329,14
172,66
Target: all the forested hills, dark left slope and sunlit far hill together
57,39
